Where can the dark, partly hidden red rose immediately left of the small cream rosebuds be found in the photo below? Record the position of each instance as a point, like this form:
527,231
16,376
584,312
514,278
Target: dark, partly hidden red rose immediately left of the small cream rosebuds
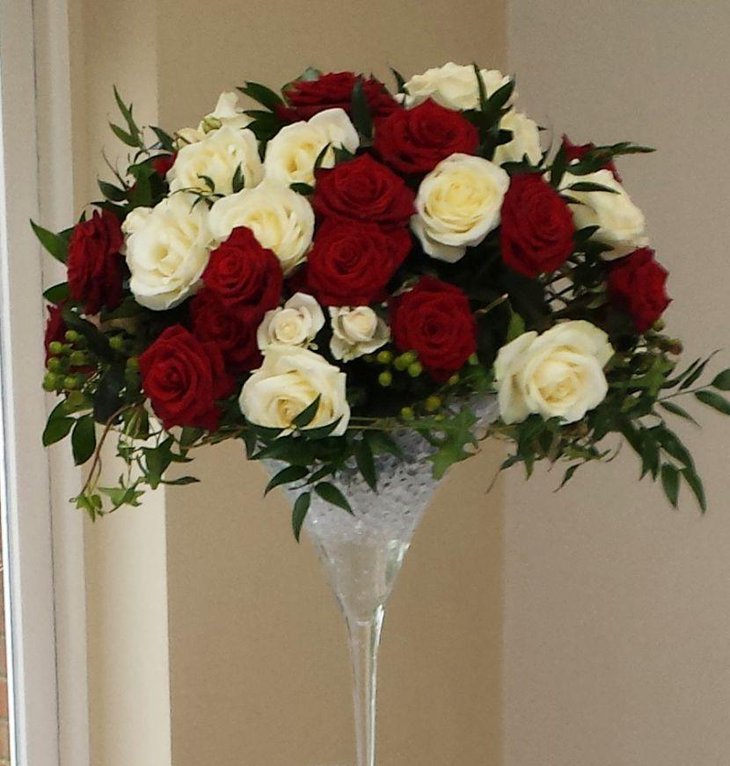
233,330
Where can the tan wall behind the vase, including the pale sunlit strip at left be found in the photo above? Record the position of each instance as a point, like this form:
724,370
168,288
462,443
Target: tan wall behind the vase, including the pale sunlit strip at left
257,653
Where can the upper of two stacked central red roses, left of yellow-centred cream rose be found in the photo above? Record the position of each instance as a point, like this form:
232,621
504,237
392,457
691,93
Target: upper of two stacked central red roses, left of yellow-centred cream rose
364,190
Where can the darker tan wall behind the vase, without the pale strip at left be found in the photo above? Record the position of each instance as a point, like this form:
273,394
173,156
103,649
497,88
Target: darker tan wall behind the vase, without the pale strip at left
259,666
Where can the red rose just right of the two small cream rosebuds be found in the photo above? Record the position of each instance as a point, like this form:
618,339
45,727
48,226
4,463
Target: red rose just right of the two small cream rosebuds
435,320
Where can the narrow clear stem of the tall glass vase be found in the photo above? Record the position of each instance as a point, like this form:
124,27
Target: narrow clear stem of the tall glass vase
364,643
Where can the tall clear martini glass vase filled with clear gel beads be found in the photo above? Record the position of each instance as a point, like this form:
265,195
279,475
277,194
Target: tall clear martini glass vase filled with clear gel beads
362,553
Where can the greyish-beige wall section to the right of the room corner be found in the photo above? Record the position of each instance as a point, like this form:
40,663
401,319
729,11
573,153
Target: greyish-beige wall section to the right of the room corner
617,615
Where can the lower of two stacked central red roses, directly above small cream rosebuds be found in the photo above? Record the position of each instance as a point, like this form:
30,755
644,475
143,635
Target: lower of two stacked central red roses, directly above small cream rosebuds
351,262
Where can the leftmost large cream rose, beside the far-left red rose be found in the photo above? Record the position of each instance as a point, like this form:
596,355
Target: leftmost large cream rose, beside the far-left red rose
167,250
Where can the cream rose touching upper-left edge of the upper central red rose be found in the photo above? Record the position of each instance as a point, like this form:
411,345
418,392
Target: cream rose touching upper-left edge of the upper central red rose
291,154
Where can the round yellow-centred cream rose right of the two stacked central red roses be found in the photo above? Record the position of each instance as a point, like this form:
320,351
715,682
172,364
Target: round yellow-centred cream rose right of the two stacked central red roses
458,204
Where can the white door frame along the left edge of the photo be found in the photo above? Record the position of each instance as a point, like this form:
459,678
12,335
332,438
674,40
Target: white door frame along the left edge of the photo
44,597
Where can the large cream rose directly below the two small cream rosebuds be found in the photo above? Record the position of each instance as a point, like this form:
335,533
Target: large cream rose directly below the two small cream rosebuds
287,382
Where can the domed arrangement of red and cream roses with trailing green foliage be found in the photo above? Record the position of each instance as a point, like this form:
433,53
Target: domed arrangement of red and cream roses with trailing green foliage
341,262
